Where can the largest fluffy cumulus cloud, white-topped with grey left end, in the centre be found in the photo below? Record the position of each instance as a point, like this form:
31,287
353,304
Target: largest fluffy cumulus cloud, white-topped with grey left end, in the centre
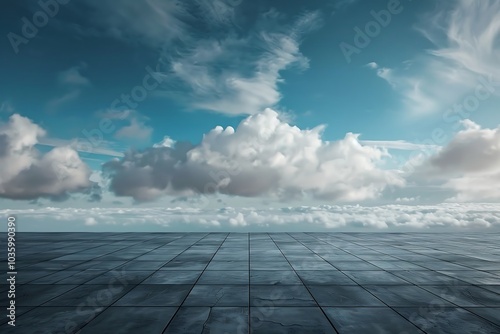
263,156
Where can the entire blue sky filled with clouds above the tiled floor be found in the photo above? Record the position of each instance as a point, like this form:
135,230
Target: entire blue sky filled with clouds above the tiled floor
250,115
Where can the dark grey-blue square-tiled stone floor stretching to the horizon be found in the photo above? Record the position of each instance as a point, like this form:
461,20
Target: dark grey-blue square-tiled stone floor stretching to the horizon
255,283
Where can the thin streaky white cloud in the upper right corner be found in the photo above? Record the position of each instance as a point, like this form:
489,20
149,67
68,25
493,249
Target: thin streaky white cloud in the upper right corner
466,55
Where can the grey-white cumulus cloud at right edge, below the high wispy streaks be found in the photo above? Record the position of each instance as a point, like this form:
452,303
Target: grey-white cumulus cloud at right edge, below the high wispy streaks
469,164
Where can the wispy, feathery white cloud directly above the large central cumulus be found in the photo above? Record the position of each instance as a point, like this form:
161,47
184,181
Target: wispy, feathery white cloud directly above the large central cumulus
252,66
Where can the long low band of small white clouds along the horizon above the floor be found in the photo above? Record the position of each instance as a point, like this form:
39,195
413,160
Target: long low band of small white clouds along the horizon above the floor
325,217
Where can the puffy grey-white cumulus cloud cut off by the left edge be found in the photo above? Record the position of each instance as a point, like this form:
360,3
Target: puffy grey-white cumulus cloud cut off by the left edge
25,173
